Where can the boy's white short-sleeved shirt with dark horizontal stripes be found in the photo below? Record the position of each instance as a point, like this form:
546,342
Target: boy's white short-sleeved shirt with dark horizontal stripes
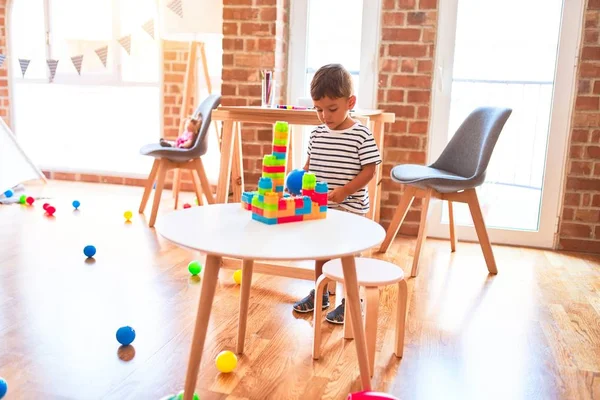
337,157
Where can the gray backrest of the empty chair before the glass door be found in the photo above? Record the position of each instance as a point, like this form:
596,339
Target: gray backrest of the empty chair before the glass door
469,151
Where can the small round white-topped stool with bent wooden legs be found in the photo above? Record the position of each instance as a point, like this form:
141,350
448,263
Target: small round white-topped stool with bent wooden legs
371,274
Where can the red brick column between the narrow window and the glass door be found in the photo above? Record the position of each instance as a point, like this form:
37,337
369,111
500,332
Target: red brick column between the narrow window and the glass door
407,53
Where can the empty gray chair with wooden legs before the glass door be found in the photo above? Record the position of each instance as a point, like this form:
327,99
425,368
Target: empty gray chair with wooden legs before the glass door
453,177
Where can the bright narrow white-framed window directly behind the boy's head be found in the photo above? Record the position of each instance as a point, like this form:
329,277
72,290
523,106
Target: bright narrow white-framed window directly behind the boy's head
332,31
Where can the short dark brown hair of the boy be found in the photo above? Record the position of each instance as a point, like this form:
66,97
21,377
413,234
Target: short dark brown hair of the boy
333,81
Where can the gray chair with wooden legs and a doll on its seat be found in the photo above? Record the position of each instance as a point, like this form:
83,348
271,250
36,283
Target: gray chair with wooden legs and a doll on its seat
166,158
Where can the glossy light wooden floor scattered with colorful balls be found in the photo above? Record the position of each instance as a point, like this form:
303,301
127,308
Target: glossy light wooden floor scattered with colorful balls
531,332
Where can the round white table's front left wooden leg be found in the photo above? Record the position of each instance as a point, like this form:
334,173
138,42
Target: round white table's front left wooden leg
207,293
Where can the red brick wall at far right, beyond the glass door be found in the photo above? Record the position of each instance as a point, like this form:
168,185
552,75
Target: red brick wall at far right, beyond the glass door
580,222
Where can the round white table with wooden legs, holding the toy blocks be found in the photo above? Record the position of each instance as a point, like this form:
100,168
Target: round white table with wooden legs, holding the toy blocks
226,230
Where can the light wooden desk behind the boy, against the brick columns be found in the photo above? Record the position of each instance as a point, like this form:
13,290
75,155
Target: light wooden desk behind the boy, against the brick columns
231,144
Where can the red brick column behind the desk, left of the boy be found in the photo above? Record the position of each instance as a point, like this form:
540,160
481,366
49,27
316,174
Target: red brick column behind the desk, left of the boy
255,38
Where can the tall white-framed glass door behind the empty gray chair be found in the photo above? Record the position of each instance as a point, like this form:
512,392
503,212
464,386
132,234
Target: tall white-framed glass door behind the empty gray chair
521,55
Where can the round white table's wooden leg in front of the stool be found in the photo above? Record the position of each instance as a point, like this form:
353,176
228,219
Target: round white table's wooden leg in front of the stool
353,303
